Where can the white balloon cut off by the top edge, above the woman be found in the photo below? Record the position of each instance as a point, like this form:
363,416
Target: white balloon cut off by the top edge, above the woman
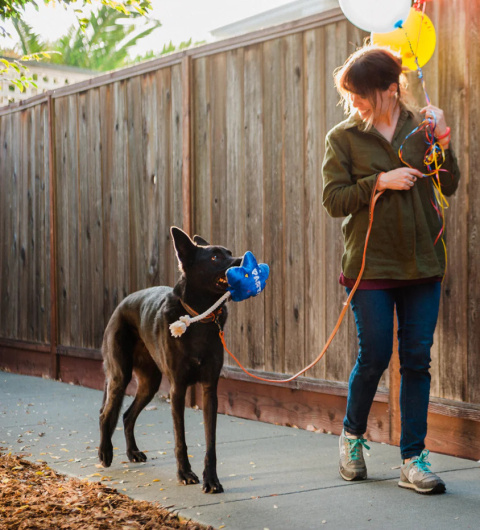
379,16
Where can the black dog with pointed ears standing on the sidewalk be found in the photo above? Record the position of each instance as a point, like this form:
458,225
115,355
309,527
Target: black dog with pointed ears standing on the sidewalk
138,340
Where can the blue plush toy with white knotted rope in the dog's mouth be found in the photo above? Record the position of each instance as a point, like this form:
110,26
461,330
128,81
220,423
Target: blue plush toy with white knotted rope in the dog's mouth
244,281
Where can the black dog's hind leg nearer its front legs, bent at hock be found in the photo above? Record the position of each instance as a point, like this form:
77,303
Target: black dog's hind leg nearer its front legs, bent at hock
148,378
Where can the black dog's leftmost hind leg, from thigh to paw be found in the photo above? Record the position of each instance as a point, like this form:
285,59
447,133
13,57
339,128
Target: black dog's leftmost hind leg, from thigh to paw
118,360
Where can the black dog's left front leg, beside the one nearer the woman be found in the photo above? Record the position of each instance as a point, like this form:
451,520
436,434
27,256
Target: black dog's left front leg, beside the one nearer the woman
185,474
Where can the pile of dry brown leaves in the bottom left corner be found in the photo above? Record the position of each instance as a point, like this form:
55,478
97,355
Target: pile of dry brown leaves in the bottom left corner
35,496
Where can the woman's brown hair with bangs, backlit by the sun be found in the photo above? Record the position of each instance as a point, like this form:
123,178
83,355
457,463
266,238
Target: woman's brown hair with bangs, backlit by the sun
369,70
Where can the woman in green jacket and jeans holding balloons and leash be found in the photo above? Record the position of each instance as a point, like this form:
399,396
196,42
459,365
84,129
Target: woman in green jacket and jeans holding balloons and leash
405,257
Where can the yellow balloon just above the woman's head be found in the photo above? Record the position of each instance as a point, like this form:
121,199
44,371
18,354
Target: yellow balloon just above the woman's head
416,38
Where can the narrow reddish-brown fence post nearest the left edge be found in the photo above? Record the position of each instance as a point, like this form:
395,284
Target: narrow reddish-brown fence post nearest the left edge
54,370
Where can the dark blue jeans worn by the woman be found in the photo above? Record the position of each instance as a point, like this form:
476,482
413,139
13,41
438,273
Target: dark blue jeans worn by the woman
417,310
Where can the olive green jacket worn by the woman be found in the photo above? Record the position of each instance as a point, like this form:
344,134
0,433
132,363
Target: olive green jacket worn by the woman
405,226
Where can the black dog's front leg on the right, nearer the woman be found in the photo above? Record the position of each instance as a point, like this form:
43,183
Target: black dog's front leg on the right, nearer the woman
211,484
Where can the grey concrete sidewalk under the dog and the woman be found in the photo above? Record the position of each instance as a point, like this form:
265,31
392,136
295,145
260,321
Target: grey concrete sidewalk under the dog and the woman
274,477
